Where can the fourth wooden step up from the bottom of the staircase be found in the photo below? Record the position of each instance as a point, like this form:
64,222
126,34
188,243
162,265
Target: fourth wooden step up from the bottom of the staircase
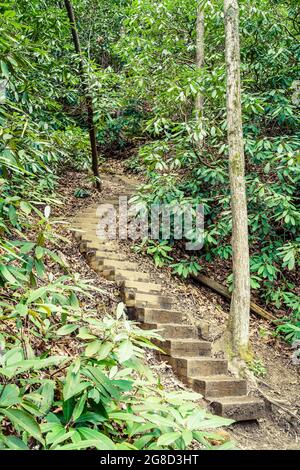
184,347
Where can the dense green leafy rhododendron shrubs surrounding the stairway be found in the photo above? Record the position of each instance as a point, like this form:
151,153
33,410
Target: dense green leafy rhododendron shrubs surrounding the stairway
139,70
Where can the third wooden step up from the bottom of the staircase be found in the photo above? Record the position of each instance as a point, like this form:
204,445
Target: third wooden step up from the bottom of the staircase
199,366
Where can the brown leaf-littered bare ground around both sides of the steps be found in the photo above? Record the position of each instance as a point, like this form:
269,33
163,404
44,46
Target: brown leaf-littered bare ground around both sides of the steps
279,384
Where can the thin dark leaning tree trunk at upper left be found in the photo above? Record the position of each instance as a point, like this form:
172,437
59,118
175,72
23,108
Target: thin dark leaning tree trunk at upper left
88,99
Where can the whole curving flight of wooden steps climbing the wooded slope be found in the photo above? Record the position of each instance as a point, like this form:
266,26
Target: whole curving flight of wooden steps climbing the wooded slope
184,347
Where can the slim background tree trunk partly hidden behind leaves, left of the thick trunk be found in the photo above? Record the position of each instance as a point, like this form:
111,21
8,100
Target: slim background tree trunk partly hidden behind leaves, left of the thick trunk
199,104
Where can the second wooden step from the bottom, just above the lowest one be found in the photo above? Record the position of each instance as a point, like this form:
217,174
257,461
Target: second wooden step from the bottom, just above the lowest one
219,386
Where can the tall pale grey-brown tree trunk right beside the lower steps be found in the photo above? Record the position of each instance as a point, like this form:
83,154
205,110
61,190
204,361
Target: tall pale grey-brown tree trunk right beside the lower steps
240,304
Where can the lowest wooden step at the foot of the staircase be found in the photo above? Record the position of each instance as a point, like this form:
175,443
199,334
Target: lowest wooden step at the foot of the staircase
243,408
